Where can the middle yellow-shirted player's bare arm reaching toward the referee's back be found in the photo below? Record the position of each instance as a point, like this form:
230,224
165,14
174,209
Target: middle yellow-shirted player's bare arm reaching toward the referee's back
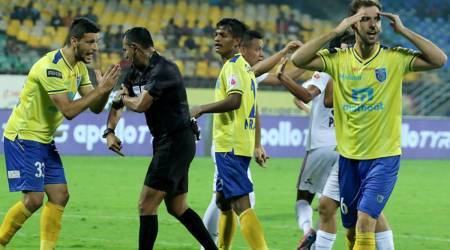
232,102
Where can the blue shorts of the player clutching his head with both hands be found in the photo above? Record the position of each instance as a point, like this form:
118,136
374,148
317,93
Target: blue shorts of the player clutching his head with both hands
365,185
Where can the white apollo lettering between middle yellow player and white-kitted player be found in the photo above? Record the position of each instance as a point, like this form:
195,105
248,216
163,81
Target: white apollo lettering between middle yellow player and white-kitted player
283,135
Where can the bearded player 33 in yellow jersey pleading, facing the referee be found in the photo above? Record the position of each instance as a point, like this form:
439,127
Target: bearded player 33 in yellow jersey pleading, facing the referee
32,160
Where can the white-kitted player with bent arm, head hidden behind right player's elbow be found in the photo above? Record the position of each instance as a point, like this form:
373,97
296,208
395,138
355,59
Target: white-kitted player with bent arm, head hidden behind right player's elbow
321,153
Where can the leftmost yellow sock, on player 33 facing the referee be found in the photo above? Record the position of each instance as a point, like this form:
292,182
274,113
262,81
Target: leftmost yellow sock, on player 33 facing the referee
13,221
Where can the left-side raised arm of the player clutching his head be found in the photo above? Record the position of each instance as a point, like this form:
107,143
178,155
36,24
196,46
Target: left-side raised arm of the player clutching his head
306,58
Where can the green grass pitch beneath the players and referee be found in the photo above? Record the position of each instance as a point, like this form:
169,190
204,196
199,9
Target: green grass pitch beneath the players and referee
102,211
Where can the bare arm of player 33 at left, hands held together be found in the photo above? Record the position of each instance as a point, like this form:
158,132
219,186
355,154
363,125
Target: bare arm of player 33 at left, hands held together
70,109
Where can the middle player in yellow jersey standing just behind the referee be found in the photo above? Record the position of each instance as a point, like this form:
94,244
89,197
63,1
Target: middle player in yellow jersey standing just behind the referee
234,124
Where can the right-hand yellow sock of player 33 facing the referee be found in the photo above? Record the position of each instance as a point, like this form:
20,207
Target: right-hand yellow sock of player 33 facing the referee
50,225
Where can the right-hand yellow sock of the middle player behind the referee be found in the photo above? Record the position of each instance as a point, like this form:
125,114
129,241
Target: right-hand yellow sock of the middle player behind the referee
252,230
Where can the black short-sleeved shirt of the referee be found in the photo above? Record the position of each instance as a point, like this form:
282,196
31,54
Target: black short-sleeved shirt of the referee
162,79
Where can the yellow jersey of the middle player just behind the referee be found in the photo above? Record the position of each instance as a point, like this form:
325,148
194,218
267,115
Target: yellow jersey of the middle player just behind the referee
235,130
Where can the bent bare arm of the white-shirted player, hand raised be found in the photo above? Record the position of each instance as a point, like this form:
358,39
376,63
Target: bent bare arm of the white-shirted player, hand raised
304,94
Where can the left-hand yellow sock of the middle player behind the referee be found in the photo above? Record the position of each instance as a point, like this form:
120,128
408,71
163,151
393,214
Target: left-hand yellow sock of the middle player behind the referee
227,228
